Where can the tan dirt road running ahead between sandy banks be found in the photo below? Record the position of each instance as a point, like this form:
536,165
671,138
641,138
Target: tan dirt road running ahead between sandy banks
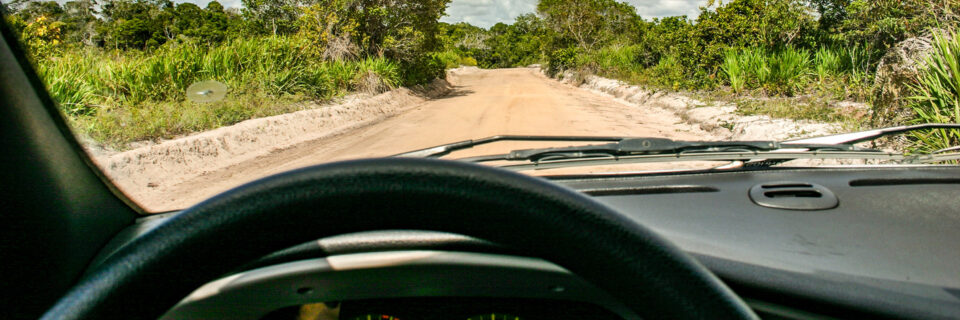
482,103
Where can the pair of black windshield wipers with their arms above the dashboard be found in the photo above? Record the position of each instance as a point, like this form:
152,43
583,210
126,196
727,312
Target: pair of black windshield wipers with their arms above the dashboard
646,149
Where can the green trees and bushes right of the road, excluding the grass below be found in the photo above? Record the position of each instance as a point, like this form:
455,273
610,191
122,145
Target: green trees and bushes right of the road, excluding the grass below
849,35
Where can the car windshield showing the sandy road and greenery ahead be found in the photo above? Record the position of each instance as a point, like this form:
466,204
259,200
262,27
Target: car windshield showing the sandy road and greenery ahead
177,101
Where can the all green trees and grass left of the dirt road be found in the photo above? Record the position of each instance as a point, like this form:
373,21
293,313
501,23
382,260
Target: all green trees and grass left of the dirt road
119,68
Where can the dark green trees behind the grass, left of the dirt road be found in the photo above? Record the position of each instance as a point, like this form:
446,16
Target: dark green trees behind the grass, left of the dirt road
335,30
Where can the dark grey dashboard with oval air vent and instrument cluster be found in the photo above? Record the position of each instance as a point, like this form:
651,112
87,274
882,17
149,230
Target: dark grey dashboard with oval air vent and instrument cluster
884,245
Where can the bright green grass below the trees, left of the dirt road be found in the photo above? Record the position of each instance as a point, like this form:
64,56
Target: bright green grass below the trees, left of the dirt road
120,97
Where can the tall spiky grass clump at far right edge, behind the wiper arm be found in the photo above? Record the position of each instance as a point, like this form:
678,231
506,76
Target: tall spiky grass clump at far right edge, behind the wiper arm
937,93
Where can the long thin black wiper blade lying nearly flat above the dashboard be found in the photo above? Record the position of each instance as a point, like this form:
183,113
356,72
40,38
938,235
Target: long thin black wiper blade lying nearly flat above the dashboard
650,146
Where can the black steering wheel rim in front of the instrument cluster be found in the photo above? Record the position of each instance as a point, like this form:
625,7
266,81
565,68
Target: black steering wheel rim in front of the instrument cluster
646,273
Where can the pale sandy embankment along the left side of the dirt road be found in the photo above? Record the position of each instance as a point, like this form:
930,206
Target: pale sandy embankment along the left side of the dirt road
190,156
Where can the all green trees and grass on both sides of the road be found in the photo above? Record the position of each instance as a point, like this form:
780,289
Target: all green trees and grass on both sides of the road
125,63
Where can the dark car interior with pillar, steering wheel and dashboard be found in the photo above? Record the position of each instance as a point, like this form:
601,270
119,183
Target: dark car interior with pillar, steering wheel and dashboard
402,238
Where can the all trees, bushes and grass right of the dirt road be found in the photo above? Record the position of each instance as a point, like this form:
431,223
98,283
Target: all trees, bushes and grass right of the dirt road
824,50
